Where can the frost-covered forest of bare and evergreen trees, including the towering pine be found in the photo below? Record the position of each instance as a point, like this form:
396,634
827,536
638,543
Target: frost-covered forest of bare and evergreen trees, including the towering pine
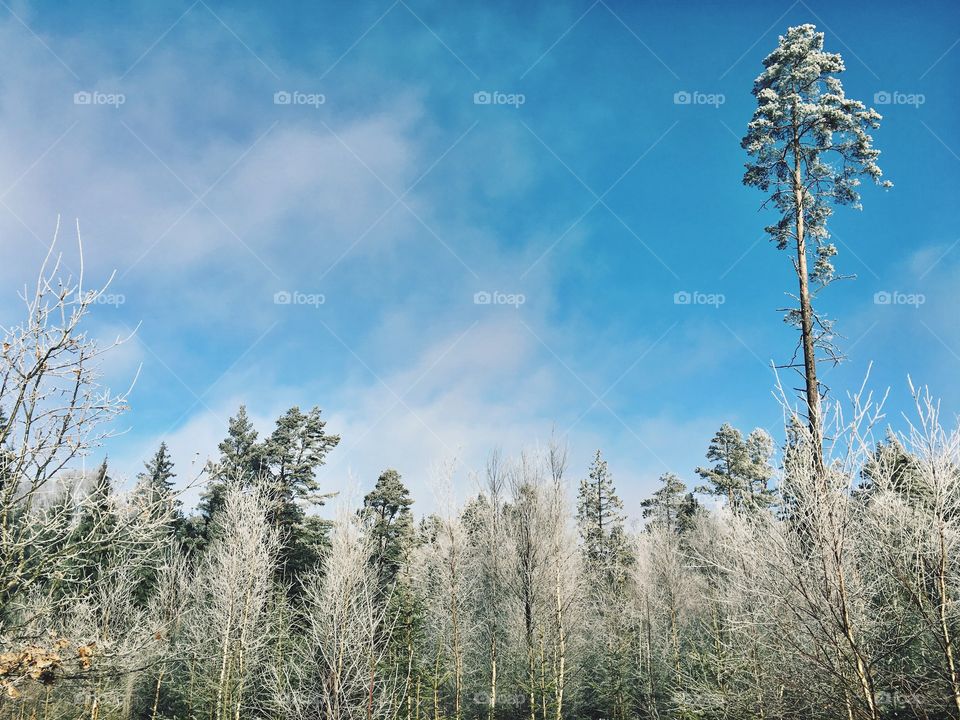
812,577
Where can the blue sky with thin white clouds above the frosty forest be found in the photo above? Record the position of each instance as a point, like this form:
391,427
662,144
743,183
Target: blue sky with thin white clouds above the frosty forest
309,204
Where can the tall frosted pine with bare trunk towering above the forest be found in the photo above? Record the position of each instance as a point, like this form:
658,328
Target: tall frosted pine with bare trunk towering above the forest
809,145
